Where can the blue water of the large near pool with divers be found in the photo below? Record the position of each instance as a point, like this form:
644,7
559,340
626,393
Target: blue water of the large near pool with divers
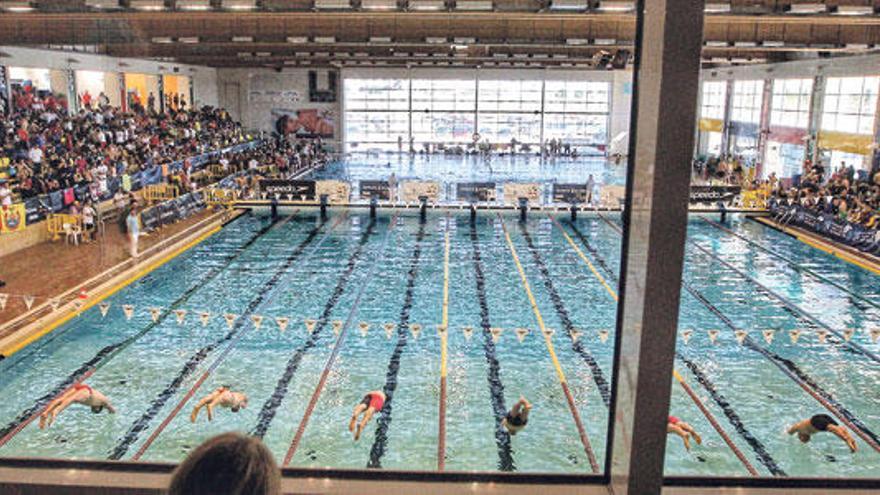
301,268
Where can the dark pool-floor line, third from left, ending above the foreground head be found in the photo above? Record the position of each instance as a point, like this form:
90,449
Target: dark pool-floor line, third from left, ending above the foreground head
271,405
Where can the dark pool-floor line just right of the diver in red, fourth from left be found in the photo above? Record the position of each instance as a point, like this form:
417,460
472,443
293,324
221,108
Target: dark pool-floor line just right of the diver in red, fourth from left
384,422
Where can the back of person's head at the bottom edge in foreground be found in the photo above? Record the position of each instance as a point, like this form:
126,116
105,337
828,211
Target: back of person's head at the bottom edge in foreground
228,464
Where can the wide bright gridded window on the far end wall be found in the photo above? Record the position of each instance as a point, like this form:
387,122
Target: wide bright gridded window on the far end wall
380,112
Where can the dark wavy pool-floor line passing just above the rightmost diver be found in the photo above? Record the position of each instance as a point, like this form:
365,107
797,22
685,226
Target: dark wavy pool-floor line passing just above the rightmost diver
793,372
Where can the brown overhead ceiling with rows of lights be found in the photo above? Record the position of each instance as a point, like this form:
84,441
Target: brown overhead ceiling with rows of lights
279,33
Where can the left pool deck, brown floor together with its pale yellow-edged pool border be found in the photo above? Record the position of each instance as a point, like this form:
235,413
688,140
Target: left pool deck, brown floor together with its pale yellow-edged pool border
100,268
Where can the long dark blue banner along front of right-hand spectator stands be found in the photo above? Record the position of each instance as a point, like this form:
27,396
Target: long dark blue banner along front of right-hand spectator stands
827,225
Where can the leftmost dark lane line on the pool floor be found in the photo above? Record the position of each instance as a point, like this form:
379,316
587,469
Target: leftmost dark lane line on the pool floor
109,352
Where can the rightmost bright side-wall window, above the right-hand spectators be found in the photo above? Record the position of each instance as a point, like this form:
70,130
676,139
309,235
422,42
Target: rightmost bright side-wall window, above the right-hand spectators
850,104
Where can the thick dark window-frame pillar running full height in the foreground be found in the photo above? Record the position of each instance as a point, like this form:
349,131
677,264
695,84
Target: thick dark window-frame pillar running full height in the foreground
666,74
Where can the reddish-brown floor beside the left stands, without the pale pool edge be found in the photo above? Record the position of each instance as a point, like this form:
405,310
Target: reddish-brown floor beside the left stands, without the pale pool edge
51,268
